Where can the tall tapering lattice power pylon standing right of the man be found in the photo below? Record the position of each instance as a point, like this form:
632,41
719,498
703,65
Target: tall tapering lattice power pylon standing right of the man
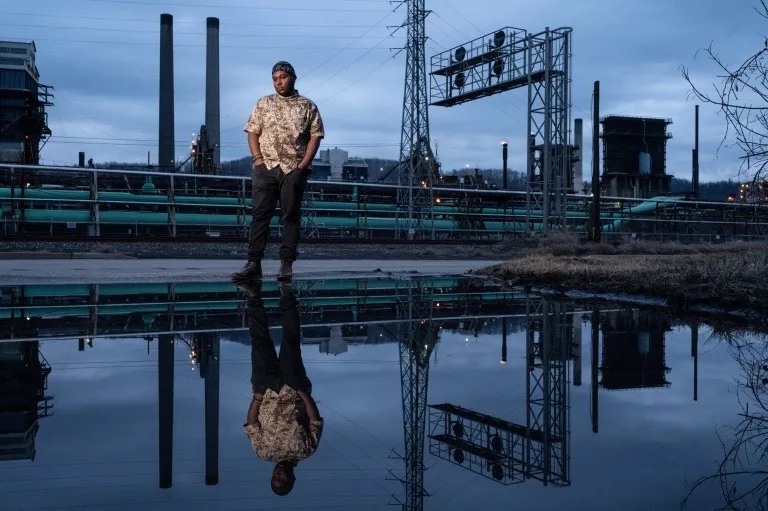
416,159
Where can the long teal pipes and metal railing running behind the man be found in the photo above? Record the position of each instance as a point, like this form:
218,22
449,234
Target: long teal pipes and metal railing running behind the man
104,203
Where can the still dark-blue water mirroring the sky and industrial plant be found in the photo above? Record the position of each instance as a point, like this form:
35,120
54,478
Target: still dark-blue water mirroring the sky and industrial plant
437,393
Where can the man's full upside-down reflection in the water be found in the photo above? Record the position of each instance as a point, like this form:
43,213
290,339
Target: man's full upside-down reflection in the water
283,423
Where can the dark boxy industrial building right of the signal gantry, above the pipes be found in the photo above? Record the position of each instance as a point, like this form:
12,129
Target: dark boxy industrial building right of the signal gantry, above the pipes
634,156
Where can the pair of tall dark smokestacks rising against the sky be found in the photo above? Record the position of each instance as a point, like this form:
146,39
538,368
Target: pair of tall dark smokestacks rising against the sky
166,149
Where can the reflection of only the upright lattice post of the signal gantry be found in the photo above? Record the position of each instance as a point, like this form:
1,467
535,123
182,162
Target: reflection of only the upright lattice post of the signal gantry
547,356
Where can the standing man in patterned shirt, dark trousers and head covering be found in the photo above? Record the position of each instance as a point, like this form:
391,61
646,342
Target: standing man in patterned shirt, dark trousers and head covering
284,133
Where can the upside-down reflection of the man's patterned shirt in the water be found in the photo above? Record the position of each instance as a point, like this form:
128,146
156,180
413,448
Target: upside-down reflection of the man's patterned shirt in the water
283,431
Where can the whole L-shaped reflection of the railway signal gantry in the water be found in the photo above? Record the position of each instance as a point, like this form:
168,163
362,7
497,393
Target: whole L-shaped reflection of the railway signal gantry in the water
510,453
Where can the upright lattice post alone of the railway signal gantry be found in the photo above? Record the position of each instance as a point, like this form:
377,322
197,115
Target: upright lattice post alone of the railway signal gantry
549,108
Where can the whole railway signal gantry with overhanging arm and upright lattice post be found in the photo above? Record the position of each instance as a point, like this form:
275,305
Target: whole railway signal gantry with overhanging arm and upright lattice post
512,58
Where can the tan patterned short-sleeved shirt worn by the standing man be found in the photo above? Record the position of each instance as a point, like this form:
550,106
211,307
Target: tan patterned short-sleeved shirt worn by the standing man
284,126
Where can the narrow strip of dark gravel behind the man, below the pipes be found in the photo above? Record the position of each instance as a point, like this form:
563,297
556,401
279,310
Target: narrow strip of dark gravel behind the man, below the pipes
225,250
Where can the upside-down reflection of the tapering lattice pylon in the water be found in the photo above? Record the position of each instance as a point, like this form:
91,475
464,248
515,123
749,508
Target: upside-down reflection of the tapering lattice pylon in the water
417,336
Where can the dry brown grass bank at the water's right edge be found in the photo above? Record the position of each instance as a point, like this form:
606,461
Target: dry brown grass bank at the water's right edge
729,276
